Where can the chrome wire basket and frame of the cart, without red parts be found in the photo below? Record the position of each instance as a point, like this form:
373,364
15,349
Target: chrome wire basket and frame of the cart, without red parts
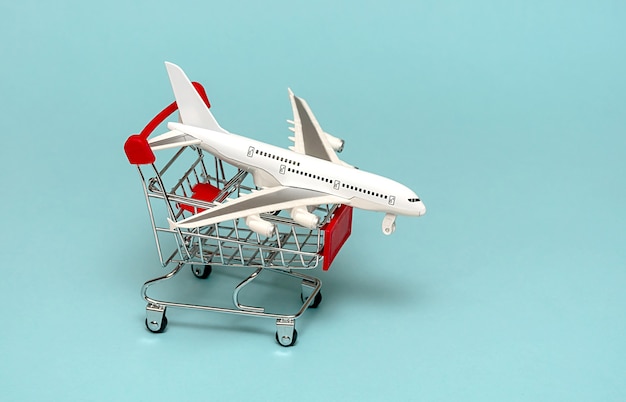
229,243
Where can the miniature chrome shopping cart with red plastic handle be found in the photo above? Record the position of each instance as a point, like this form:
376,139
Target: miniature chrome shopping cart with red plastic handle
186,181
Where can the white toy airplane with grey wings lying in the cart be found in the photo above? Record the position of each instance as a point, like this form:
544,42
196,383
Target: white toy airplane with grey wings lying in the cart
297,180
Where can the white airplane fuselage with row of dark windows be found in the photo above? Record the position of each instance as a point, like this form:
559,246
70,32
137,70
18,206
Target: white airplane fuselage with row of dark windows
274,166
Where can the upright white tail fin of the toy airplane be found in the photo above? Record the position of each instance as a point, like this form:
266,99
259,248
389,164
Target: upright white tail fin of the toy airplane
193,111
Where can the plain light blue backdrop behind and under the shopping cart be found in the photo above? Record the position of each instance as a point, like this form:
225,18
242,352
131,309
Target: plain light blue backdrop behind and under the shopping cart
507,118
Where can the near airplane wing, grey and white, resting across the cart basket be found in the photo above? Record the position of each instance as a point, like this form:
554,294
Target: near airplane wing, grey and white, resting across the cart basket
257,202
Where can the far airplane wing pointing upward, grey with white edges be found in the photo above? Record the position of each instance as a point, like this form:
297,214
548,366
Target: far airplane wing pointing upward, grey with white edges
309,138
